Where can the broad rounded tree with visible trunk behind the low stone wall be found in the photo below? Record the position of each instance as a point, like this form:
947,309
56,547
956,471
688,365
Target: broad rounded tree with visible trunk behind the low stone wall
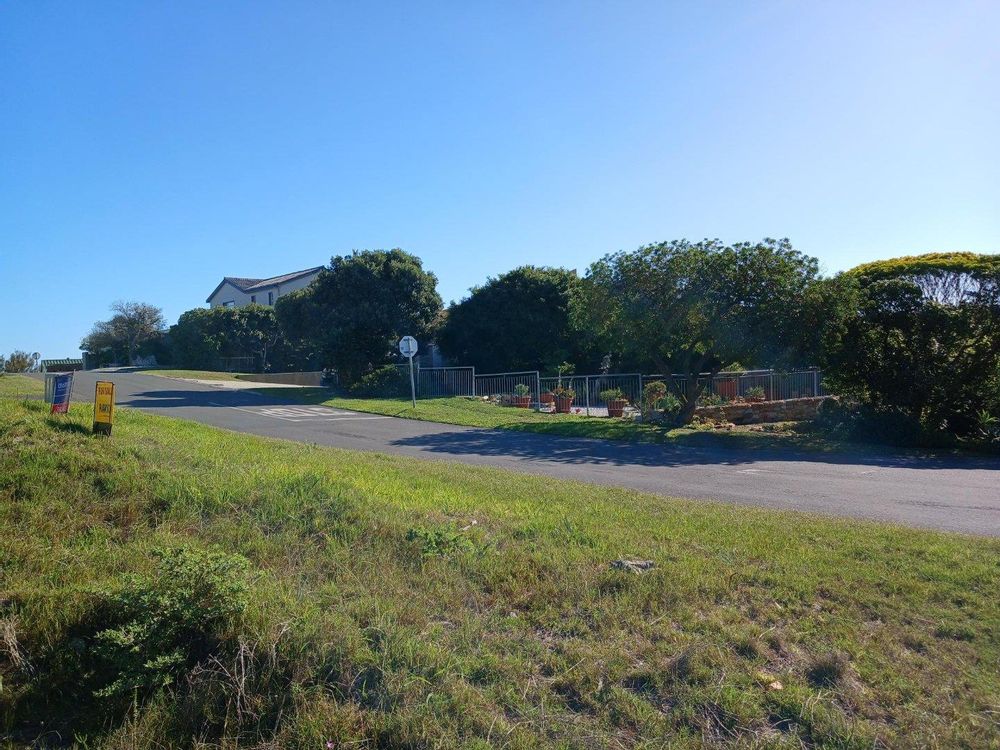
691,308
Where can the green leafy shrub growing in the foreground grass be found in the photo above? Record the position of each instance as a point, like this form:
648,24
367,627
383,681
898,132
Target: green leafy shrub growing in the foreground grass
161,625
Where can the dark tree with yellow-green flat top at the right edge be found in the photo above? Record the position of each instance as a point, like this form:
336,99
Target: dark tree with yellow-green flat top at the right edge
921,337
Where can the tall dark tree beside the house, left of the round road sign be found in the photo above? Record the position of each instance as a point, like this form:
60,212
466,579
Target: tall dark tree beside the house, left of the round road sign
353,314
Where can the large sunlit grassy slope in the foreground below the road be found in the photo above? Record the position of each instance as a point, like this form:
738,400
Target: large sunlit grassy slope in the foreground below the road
398,603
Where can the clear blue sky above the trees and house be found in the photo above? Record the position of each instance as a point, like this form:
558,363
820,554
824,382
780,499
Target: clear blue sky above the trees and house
149,148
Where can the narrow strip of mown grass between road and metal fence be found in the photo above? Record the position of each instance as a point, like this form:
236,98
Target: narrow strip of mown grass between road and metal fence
472,412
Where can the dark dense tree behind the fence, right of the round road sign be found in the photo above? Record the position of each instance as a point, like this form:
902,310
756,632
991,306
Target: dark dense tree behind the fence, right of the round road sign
519,320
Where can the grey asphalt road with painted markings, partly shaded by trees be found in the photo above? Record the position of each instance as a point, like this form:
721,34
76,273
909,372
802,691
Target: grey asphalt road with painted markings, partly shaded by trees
943,493
